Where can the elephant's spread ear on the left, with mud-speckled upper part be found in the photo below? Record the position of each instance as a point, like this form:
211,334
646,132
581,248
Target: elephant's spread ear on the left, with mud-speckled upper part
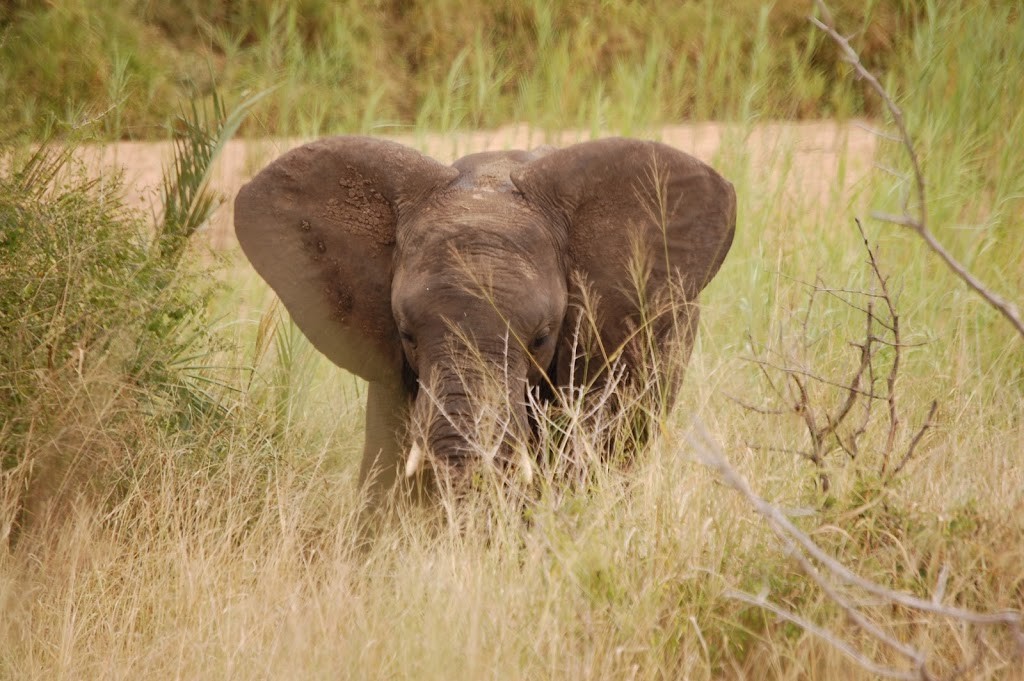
319,225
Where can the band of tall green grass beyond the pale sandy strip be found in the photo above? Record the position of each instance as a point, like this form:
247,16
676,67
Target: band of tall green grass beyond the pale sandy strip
365,67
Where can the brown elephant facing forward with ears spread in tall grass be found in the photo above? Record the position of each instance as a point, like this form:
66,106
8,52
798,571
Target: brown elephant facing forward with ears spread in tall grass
522,271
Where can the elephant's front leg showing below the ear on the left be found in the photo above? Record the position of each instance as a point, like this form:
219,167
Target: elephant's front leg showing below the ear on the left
388,411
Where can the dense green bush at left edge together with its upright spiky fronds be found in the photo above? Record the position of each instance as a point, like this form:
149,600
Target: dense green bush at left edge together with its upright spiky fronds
106,321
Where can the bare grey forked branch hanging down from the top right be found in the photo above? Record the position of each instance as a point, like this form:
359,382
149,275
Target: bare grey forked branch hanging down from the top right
918,224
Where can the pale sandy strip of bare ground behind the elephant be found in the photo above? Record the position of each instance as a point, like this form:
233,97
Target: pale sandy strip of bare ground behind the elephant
814,156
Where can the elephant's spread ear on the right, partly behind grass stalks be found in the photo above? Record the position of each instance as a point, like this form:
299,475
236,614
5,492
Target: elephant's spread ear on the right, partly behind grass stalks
623,199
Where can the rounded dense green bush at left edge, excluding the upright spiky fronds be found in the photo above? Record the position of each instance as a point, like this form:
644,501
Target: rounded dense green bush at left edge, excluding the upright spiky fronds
89,318
